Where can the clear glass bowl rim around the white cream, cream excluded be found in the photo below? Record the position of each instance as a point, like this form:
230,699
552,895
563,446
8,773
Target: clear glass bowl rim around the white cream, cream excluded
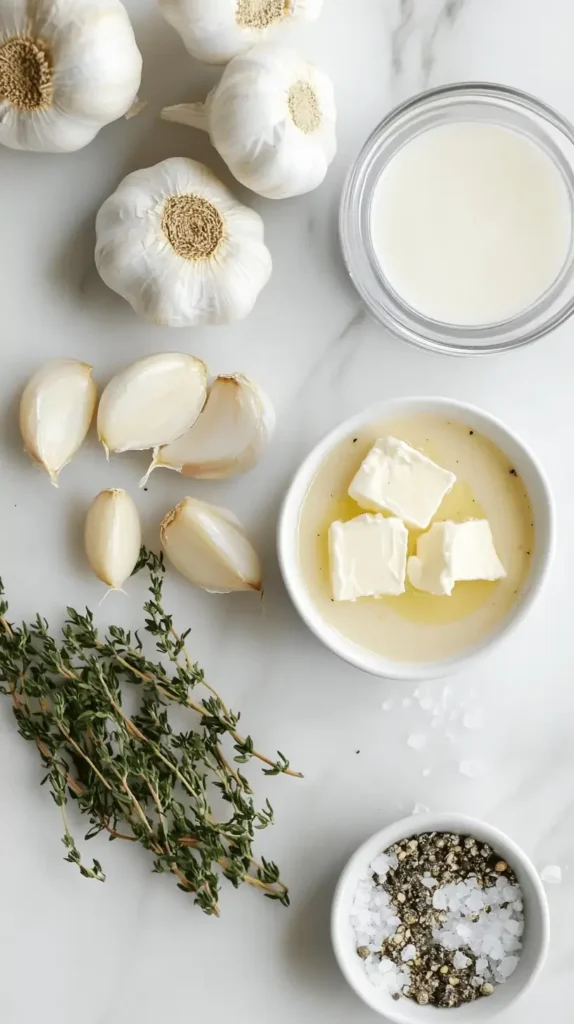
469,103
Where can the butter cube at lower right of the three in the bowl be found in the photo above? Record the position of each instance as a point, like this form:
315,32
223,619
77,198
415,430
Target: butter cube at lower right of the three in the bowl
453,552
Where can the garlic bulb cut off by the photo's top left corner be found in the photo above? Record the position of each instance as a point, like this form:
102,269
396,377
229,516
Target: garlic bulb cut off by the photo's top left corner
66,71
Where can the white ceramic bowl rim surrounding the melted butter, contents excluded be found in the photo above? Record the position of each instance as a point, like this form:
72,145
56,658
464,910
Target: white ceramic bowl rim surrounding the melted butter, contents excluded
543,506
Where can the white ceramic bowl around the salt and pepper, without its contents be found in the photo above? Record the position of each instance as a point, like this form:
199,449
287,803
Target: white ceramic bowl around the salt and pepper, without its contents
536,940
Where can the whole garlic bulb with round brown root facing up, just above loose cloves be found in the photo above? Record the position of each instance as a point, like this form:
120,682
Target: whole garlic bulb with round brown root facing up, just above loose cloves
181,248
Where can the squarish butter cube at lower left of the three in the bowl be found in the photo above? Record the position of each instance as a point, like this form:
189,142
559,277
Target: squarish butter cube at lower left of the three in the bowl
368,558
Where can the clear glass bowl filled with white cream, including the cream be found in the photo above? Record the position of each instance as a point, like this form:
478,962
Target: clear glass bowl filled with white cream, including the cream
457,220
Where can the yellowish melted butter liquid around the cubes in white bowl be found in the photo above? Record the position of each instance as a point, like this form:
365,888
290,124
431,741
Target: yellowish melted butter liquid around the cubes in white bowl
417,626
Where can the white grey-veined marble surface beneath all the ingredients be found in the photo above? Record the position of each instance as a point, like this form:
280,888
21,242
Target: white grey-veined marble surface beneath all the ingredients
136,950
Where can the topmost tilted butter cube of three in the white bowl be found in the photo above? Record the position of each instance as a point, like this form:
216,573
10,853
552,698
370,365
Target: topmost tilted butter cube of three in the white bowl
398,479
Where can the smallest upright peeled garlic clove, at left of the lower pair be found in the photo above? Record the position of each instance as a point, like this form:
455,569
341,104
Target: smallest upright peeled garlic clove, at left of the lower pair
113,537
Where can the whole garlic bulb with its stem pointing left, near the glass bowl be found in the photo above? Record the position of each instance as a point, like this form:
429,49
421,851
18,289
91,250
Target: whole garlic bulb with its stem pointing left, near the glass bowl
273,119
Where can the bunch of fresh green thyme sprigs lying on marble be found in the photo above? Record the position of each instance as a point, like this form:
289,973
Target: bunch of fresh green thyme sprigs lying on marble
134,775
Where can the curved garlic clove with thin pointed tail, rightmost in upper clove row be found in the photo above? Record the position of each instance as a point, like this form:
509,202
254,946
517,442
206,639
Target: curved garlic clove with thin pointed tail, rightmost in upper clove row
230,437
